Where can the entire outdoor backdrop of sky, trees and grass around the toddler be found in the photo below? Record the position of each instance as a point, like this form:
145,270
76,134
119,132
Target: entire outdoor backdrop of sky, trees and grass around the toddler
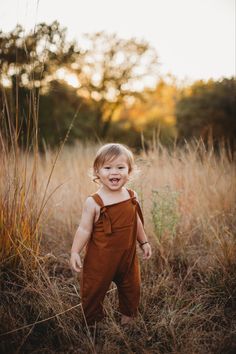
158,76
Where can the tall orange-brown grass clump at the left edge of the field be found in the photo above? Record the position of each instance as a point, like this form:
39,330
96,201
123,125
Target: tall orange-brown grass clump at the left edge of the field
20,236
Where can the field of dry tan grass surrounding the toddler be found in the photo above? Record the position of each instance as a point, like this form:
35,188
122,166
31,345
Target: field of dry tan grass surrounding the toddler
188,286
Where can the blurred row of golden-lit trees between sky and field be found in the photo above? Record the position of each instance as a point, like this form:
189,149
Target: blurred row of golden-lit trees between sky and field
111,98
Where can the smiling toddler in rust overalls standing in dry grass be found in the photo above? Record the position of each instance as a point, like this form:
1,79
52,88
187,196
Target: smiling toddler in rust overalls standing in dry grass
111,224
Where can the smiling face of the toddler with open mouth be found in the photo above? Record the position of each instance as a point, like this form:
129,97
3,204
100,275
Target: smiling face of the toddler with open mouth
115,173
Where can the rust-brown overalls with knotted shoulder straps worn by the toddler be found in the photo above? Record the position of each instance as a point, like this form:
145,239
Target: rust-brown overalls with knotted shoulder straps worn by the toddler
111,256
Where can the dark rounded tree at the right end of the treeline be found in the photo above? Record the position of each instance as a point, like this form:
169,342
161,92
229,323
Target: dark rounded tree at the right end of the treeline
208,110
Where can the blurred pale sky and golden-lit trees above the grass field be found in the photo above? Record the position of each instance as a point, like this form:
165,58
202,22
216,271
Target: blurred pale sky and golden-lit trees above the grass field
124,72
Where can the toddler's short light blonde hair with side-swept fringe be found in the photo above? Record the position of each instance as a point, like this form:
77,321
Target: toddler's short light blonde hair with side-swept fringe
109,152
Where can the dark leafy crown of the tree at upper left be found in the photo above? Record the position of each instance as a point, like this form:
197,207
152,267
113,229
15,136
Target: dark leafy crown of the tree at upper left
31,59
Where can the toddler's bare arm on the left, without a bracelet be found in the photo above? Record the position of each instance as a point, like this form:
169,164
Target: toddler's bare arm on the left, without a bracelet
83,233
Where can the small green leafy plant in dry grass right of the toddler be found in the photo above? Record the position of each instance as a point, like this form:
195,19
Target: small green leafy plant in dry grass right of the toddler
164,211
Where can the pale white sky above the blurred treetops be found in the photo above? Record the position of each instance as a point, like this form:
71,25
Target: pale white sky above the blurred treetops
194,39
